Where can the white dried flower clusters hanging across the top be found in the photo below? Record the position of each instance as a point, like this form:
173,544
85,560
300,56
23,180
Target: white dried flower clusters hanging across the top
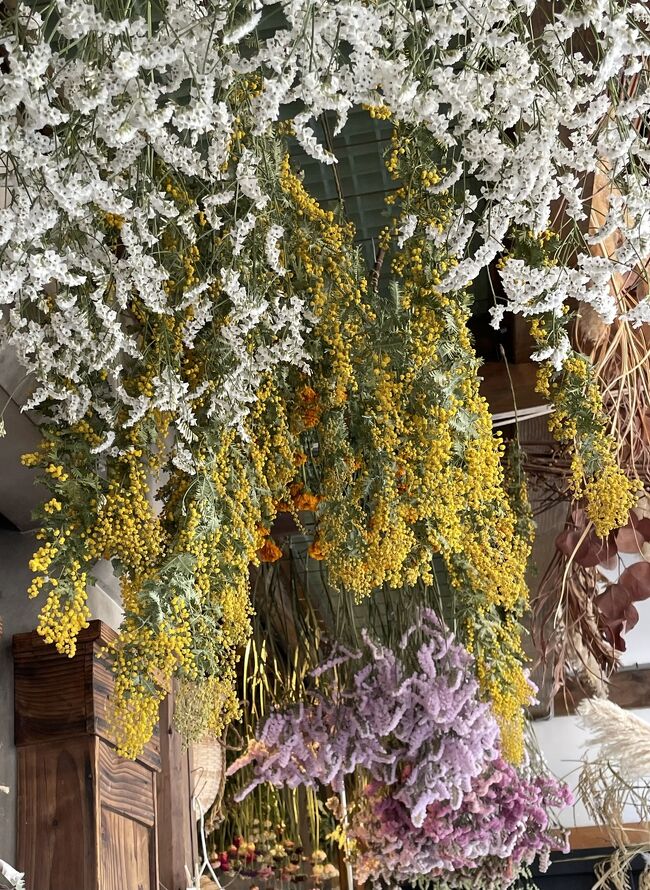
519,93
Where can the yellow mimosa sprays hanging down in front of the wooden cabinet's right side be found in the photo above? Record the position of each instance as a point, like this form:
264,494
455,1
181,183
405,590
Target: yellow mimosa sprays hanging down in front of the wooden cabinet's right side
215,516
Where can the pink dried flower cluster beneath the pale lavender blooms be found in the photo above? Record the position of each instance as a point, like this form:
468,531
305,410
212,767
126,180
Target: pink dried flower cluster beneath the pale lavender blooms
500,826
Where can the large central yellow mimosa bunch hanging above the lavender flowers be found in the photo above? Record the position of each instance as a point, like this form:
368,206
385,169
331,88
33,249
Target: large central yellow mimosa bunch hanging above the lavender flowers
407,463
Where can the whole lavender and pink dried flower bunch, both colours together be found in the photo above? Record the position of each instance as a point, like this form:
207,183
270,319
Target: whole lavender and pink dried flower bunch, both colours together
440,802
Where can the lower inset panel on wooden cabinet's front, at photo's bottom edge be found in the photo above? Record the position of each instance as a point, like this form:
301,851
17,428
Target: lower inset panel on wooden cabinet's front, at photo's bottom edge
128,854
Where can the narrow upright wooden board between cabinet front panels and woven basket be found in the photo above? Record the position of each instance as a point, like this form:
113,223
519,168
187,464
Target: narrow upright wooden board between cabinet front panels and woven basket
177,836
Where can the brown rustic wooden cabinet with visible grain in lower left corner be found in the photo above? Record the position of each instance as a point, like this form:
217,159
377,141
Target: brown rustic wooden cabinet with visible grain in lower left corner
87,819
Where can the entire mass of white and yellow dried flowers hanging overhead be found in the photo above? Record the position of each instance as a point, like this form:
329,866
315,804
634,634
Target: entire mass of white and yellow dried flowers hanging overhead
194,322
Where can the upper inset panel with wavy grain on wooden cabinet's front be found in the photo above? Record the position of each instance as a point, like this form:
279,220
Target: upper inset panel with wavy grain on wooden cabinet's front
125,786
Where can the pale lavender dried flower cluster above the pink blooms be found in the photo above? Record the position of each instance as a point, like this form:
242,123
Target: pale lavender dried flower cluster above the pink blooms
423,728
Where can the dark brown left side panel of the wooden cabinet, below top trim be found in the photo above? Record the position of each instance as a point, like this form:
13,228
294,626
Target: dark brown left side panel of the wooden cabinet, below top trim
56,816
